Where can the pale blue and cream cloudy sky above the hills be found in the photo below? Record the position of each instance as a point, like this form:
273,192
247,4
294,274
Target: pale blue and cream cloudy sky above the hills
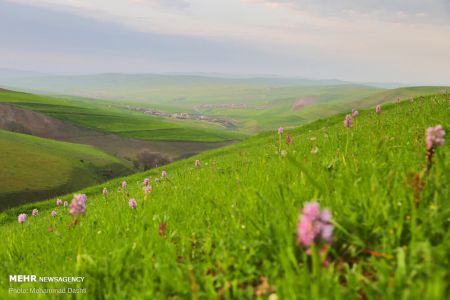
359,40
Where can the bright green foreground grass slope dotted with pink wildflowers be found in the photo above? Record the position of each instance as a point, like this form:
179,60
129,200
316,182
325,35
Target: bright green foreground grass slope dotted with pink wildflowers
228,228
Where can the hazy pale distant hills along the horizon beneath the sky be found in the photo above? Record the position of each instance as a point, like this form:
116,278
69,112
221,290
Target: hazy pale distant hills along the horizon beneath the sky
75,84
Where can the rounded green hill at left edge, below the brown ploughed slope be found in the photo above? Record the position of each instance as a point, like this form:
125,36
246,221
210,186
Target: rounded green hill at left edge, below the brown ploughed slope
34,168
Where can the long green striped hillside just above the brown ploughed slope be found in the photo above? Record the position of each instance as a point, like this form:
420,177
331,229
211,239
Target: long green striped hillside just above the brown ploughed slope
107,117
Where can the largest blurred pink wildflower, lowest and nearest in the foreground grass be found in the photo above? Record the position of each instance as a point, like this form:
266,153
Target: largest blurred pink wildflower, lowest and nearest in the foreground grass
314,225
